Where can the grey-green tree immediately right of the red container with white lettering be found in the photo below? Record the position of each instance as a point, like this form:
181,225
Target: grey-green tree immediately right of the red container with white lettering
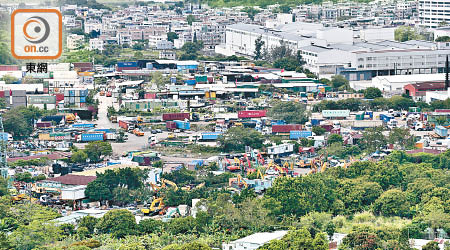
291,112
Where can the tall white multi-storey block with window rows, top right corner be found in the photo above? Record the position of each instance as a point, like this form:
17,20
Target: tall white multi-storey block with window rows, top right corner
432,13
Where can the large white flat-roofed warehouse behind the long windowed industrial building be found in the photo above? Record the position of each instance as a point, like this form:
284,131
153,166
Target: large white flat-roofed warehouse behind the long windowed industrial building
240,38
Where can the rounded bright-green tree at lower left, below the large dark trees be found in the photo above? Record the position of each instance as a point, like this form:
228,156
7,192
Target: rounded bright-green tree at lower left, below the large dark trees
118,222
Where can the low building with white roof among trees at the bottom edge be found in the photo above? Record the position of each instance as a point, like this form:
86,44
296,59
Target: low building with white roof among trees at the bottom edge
253,241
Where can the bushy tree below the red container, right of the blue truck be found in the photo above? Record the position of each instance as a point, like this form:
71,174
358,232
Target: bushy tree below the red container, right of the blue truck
237,138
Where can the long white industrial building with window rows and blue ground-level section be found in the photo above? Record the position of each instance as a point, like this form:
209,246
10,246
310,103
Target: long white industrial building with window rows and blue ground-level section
365,60
